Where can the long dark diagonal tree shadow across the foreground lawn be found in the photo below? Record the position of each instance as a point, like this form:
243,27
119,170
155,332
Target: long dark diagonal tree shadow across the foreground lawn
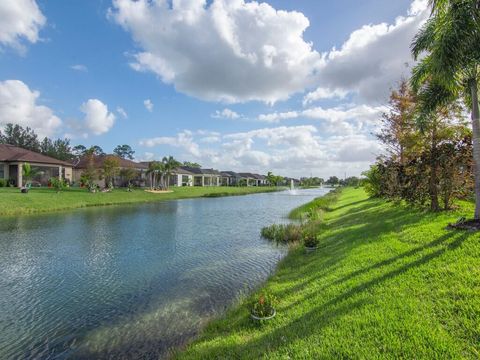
277,336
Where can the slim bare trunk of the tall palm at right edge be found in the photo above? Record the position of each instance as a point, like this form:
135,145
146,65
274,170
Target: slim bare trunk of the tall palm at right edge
476,143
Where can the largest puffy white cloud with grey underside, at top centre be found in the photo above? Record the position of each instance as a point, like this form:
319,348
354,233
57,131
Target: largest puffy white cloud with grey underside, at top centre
231,51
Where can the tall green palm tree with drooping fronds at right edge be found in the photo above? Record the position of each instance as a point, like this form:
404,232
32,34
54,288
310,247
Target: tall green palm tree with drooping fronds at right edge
450,68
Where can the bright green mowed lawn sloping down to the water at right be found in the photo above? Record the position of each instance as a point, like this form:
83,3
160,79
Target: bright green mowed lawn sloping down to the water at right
389,282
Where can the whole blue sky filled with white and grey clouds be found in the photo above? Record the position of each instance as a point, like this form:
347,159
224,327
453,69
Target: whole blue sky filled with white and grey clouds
294,87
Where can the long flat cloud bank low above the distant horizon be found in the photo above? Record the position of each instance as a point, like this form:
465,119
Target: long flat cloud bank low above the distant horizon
293,150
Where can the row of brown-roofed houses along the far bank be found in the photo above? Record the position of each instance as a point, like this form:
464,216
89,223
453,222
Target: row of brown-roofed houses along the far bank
12,159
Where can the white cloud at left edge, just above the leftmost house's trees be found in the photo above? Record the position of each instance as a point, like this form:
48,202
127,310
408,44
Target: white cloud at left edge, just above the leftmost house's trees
19,105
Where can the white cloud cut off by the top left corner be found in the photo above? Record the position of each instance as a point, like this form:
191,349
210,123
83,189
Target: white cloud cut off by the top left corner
20,20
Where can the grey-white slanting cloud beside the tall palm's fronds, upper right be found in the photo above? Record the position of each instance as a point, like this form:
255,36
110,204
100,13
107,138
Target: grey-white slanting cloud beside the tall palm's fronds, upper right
373,58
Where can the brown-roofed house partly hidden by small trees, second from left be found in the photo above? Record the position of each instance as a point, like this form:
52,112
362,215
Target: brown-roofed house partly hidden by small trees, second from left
97,163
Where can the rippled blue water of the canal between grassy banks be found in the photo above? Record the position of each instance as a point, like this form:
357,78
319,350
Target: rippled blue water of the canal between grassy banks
131,281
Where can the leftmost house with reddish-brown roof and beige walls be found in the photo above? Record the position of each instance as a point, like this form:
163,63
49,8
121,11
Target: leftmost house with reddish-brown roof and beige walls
12,159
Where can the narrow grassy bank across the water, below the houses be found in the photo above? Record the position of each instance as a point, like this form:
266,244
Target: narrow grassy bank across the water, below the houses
44,199
